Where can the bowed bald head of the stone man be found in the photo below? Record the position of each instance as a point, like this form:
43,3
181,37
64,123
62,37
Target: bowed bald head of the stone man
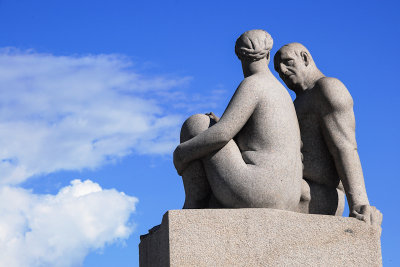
295,65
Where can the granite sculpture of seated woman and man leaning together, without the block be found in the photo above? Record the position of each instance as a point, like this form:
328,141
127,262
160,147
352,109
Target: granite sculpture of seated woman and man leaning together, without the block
265,152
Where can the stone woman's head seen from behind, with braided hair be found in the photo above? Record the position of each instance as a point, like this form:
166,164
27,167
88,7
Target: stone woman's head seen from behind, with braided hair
253,45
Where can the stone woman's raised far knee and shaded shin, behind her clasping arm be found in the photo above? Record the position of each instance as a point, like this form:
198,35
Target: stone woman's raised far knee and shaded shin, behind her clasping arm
197,188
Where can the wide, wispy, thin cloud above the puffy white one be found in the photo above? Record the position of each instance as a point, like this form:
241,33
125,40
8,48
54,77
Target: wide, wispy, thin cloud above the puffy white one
74,112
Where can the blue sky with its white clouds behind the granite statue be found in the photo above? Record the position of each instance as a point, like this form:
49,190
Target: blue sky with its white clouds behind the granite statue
92,95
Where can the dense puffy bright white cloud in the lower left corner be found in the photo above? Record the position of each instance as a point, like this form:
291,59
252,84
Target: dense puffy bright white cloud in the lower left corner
60,230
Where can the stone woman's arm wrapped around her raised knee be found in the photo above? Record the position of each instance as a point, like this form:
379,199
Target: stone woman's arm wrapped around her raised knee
238,112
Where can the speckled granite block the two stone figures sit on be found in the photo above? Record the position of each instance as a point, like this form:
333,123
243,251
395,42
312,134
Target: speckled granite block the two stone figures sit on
259,237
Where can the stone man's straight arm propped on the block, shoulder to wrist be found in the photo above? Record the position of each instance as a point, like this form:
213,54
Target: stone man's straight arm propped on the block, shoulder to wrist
338,127
